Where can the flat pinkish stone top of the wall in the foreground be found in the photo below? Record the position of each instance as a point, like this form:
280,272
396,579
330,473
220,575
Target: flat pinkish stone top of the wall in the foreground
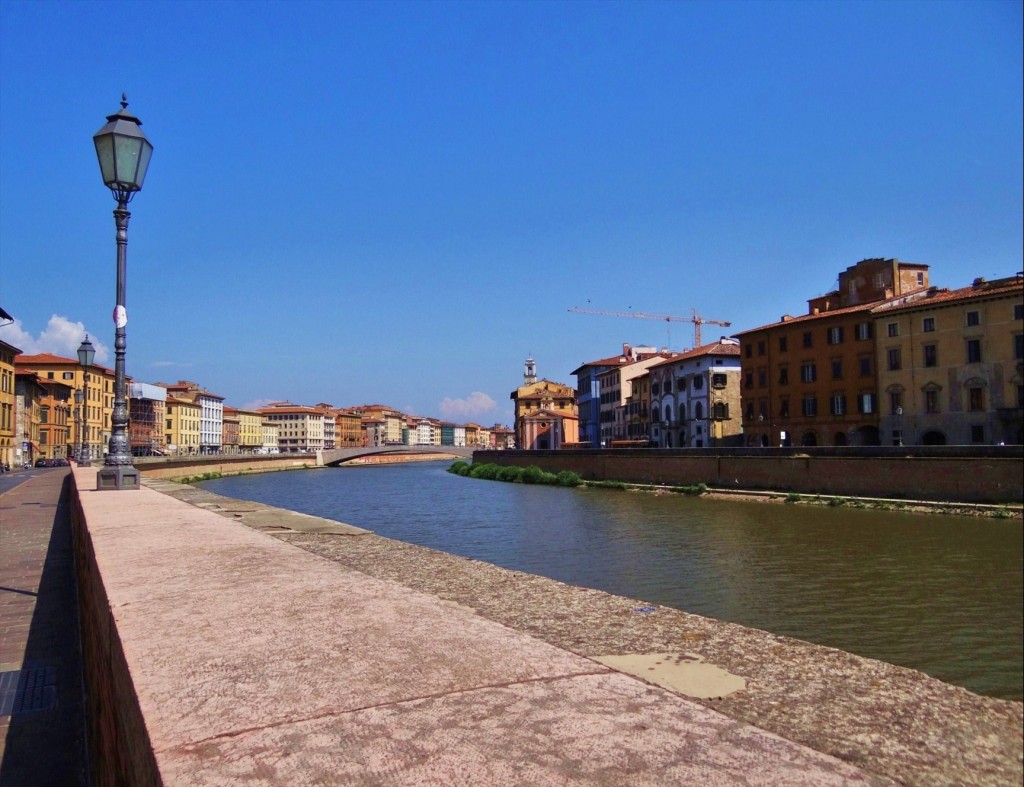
258,663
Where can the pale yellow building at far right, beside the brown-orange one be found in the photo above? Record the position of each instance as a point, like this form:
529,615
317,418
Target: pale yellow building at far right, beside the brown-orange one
951,366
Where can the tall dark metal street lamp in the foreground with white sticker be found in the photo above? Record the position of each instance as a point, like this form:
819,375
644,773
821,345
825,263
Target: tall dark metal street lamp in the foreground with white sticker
124,156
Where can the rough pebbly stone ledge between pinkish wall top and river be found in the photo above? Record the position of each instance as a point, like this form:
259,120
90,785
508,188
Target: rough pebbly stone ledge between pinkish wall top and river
888,720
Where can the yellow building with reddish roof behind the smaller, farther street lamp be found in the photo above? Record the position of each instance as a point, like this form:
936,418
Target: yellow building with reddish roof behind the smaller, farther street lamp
99,395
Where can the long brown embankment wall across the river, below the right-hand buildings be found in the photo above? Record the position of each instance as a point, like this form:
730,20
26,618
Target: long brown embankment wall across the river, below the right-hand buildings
994,475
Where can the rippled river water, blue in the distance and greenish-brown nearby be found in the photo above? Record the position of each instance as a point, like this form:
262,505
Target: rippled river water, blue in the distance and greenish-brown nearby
944,595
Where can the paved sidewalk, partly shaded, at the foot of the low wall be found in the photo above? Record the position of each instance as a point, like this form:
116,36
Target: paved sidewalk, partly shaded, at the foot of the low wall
42,731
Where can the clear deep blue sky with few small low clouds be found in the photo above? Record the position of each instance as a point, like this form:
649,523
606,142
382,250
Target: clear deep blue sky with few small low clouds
398,202
